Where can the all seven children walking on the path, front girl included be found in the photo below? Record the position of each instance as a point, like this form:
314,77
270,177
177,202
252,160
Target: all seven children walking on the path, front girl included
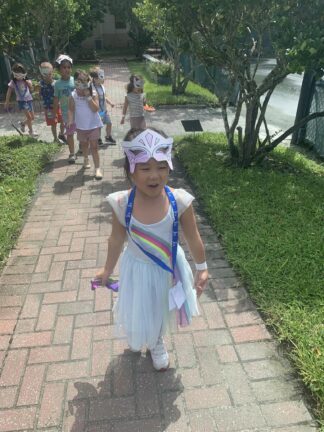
156,286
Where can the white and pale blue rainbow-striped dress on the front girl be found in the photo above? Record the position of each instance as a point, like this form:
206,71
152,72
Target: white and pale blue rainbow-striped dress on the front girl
142,309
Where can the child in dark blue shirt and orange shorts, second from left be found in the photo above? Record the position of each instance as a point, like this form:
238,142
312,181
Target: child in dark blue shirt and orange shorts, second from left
46,93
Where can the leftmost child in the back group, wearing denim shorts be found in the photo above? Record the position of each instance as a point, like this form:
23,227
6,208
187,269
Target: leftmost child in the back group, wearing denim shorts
22,87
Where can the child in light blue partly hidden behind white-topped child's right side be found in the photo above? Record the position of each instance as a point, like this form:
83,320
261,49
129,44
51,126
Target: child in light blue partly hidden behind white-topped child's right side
98,78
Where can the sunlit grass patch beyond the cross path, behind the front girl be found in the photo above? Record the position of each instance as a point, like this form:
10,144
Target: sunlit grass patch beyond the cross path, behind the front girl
157,94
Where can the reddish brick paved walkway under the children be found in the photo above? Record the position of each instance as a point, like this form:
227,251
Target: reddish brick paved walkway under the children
62,369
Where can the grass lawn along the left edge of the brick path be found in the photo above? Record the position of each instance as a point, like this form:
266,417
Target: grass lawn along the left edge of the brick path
21,161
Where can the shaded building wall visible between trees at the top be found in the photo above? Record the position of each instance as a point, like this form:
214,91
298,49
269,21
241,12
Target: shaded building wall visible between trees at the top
106,35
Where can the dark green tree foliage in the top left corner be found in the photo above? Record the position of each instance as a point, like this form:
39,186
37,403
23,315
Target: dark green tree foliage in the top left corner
59,23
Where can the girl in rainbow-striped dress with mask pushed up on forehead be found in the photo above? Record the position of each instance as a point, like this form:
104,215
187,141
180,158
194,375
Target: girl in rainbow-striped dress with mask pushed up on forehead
156,285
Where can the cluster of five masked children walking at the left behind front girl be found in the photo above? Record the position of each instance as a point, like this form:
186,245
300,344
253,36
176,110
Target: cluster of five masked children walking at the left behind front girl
77,104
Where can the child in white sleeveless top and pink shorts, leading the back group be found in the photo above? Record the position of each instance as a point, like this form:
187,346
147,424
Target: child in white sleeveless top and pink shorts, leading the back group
84,112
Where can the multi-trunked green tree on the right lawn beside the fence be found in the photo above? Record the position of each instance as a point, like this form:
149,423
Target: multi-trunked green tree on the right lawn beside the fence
231,35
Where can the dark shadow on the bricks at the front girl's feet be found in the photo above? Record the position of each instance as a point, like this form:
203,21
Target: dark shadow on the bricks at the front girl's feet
131,394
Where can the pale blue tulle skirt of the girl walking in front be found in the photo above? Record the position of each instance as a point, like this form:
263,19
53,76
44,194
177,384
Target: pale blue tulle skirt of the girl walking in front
142,308
